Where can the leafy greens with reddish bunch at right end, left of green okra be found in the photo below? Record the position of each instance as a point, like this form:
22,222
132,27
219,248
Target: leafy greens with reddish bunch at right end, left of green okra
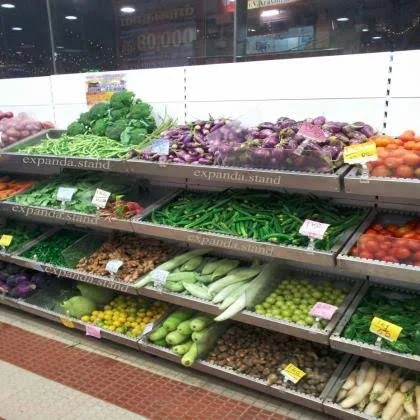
45,194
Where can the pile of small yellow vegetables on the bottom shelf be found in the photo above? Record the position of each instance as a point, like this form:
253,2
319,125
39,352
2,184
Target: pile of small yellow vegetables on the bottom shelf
126,314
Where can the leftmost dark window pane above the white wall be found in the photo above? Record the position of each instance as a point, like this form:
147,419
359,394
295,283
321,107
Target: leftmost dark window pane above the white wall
25,48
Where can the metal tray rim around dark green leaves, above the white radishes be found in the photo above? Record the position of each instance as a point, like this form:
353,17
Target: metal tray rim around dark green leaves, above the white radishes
369,351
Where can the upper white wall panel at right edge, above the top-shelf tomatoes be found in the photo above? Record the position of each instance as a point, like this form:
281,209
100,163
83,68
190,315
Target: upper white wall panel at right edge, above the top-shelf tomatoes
405,79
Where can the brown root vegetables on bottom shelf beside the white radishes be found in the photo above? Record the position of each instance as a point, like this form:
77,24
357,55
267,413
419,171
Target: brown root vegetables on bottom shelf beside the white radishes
264,354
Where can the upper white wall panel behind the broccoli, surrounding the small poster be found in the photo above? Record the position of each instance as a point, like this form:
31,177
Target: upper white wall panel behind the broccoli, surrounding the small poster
150,85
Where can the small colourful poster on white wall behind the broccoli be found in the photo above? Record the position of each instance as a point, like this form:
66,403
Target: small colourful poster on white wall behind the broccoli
101,88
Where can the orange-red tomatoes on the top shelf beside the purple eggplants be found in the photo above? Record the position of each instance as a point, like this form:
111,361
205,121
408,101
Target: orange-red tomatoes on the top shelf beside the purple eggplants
397,157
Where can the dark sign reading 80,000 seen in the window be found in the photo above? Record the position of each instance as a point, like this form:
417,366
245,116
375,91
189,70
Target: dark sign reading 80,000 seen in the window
159,33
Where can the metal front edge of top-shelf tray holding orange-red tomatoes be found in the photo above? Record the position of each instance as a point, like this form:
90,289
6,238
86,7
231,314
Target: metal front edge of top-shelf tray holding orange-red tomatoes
385,187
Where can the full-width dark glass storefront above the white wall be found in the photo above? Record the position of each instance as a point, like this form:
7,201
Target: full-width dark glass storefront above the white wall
42,37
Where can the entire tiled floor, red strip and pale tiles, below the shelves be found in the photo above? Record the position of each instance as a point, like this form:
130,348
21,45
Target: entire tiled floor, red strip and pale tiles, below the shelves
93,379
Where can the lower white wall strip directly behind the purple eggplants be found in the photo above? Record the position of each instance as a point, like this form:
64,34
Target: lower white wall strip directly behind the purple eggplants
254,112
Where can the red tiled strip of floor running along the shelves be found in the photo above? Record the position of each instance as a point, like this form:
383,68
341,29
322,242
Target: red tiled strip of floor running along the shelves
128,387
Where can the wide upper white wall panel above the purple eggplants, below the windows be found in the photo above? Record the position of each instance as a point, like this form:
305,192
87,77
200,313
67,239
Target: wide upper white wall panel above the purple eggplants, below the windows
343,76
